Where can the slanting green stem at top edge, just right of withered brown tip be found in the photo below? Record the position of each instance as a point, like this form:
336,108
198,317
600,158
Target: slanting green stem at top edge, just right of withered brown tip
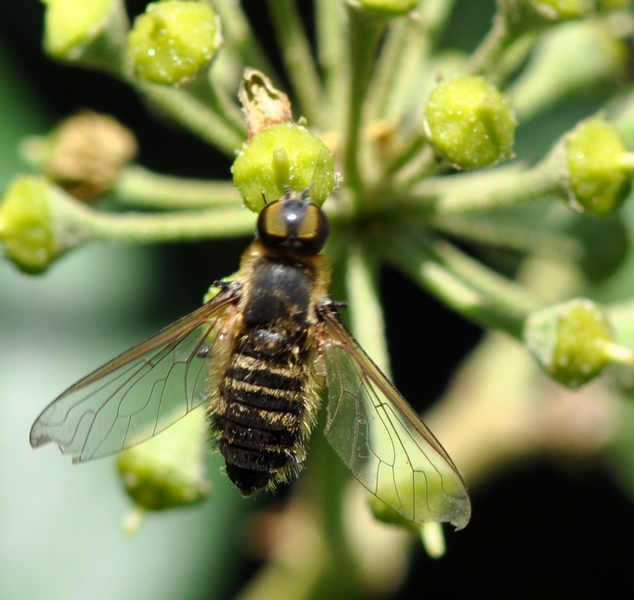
298,59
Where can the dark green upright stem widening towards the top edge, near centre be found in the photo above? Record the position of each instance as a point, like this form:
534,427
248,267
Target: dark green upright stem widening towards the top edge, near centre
366,30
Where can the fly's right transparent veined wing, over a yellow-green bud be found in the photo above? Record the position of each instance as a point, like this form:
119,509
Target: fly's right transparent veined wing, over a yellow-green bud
383,441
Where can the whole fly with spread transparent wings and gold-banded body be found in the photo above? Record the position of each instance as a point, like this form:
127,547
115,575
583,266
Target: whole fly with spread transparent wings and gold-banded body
257,356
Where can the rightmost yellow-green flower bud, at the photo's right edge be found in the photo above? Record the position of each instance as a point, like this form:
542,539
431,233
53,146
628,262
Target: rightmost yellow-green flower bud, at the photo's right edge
599,168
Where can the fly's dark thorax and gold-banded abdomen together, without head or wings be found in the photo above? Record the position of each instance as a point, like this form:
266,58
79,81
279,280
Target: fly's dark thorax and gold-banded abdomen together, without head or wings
267,403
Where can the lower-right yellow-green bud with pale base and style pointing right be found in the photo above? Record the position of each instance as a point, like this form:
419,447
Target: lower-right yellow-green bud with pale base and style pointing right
572,341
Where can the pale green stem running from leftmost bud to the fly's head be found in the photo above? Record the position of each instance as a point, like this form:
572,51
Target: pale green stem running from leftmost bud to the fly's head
77,223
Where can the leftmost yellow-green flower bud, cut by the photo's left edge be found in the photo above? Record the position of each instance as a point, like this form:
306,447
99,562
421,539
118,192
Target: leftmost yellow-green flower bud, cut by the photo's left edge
26,226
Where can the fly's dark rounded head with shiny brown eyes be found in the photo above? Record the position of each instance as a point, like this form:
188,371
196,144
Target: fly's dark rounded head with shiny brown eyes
293,224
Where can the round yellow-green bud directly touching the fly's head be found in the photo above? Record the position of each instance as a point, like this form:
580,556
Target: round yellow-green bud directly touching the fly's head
282,155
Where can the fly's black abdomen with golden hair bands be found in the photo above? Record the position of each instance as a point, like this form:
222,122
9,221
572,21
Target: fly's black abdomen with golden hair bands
262,407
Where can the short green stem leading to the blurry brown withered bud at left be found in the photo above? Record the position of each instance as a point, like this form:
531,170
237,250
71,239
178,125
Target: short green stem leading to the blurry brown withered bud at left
140,187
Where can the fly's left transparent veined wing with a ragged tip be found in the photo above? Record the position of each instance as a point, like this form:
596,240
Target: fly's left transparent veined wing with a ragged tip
141,392
